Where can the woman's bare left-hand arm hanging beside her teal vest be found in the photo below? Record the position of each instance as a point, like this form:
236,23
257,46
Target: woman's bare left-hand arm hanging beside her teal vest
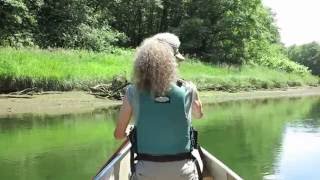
123,119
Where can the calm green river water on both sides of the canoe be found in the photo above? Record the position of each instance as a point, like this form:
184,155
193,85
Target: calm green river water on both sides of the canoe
272,139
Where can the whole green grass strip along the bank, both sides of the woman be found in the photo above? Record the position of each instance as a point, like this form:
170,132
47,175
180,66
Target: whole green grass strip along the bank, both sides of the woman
60,69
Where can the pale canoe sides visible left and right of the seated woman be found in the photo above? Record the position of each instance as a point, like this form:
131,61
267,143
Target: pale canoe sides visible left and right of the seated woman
118,166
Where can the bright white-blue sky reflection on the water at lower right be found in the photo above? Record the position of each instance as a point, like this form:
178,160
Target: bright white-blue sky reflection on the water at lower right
300,155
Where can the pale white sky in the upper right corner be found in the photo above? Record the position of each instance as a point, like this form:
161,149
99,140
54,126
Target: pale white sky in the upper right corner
298,20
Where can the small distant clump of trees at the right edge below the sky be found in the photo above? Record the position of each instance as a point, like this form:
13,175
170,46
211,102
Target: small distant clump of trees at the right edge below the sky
308,55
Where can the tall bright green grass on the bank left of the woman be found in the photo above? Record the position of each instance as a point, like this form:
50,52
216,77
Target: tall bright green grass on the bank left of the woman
59,69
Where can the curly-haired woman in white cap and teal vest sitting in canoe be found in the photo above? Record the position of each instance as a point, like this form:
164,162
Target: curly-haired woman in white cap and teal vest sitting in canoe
162,110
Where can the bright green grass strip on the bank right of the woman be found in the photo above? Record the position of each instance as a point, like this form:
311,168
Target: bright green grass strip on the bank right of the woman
245,78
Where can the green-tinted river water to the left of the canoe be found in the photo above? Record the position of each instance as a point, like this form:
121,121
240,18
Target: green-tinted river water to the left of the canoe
55,147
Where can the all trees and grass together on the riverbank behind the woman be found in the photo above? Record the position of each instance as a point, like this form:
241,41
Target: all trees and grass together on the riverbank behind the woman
232,44
